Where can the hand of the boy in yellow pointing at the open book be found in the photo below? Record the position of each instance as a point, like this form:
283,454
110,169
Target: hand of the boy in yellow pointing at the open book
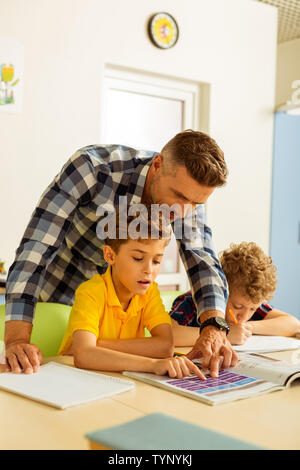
177,367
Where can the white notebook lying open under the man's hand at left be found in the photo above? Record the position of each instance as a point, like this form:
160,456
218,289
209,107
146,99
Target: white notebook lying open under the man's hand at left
64,386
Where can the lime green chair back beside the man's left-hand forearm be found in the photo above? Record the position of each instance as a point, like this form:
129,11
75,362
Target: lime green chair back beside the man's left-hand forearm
49,326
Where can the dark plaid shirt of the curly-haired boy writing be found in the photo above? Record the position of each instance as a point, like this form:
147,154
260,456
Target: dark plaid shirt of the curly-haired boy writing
184,311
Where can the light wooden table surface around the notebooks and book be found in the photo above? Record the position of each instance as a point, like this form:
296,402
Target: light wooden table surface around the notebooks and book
271,421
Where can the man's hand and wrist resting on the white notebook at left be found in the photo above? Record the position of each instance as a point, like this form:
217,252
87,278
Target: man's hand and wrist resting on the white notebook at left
19,353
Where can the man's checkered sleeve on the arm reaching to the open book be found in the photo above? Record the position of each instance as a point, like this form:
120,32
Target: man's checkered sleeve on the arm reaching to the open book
207,280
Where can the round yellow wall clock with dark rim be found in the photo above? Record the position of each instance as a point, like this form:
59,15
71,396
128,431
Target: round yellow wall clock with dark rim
163,30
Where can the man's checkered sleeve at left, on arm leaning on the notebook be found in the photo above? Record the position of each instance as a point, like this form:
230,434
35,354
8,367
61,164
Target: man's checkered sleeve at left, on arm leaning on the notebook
73,186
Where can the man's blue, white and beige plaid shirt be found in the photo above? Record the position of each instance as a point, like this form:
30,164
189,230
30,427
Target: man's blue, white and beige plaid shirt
60,248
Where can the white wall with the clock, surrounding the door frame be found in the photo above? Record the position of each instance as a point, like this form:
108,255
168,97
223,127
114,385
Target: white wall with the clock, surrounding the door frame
229,43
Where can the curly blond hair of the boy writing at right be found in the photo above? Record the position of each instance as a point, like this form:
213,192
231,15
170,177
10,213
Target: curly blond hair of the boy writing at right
249,270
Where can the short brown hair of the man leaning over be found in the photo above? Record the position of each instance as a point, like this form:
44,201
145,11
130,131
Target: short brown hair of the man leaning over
201,156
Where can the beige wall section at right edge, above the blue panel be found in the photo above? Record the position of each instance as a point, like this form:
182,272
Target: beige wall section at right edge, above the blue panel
288,70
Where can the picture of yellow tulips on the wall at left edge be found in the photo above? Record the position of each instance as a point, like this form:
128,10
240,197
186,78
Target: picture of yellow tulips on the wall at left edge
11,75
